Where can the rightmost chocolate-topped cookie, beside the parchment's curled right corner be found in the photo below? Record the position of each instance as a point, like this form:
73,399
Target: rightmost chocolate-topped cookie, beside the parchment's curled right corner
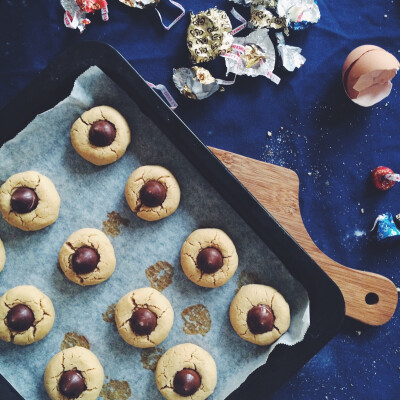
259,314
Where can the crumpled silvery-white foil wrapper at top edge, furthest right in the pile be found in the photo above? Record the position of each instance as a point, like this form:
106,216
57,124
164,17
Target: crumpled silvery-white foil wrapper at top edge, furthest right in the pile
299,13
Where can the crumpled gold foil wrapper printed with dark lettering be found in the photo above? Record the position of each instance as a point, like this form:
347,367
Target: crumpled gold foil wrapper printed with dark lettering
209,35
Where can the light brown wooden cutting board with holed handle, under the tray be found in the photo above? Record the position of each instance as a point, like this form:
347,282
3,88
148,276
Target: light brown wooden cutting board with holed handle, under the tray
277,189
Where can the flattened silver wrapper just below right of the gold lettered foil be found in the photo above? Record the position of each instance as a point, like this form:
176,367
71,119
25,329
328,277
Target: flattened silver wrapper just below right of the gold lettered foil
259,56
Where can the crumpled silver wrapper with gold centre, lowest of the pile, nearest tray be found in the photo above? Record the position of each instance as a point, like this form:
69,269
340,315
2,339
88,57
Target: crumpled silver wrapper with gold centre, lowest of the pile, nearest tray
195,83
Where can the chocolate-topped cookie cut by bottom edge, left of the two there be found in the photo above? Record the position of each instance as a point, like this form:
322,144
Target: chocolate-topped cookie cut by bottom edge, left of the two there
74,373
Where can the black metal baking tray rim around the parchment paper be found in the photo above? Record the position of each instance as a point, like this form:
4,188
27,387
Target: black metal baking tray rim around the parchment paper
326,301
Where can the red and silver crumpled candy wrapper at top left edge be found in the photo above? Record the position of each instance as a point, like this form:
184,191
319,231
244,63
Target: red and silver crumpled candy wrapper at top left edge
75,12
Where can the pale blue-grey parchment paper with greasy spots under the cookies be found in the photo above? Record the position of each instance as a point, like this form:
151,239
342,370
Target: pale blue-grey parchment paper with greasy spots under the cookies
91,195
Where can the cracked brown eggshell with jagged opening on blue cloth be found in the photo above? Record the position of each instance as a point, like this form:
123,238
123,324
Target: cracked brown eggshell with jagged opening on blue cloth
367,73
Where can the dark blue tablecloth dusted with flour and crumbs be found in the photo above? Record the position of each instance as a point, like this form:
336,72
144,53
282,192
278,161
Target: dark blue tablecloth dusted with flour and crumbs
331,143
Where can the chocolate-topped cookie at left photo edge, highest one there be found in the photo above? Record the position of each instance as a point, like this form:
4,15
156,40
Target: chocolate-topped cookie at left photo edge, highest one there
29,201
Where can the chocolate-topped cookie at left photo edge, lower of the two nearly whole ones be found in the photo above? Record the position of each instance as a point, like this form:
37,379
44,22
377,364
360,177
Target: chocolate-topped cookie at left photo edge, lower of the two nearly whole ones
26,315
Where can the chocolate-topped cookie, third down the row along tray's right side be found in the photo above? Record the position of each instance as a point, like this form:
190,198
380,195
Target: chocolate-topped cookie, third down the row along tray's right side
209,258
